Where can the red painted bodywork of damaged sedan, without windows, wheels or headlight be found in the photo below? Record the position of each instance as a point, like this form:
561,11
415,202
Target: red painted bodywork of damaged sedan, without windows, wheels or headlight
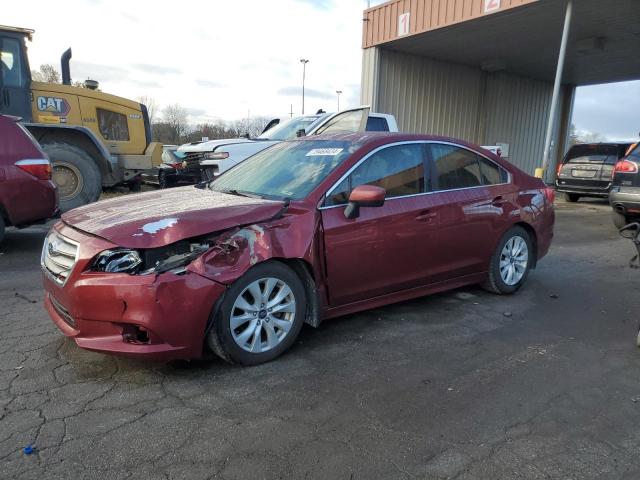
376,259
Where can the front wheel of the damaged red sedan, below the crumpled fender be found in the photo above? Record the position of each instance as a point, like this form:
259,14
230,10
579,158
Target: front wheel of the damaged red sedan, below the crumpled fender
234,344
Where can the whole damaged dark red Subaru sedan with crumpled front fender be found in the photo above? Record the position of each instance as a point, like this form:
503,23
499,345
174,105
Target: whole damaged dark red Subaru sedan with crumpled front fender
304,231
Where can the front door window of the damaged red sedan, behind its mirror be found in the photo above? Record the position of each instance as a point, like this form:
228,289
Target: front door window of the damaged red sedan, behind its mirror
398,169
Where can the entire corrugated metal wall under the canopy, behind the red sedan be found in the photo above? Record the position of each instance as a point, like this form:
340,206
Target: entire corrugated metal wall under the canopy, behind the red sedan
440,98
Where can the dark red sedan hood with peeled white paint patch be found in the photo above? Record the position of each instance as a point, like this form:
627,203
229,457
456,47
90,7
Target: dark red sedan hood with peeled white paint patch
154,219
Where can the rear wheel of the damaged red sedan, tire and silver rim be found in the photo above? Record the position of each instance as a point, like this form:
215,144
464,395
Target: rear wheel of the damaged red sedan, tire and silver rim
496,283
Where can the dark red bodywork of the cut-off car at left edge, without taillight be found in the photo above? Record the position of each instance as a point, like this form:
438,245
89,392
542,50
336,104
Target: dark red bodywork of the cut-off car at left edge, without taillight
24,199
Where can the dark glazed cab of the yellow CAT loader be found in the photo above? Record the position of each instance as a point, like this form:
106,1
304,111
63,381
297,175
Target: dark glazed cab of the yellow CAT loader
15,76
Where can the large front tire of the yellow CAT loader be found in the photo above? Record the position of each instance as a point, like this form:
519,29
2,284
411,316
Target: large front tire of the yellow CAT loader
76,174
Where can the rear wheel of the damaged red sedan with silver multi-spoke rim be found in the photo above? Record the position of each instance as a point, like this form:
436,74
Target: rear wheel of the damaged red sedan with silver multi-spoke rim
510,263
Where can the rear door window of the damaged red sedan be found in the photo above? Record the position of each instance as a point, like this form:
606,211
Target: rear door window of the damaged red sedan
454,167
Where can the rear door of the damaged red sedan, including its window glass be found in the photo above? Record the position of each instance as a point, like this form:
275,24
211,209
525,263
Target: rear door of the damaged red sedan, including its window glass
472,200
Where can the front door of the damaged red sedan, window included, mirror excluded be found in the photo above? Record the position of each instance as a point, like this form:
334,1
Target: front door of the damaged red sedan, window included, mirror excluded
386,249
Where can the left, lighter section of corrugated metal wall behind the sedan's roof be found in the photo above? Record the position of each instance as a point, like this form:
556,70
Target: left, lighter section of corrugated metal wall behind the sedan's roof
429,96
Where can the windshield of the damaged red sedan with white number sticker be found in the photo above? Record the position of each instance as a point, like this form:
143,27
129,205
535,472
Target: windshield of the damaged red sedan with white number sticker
286,170
